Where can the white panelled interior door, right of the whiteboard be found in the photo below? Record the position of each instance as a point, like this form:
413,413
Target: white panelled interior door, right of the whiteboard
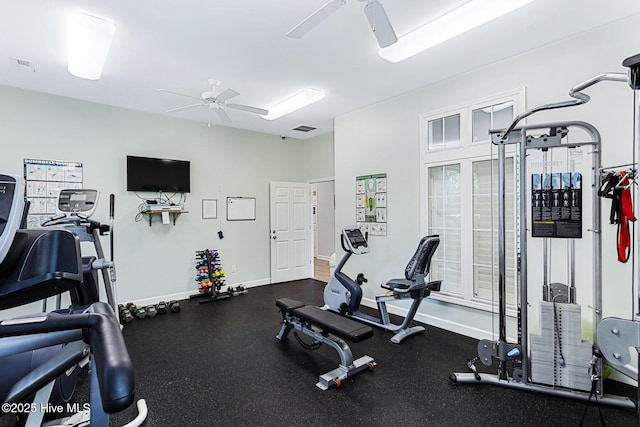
290,232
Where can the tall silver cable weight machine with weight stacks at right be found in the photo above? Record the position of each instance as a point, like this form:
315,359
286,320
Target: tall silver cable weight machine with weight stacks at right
612,337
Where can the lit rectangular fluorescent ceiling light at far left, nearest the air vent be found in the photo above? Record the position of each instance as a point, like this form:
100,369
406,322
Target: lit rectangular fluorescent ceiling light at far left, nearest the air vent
89,42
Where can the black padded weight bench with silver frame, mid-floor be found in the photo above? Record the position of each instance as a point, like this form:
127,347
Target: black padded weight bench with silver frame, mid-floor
328,328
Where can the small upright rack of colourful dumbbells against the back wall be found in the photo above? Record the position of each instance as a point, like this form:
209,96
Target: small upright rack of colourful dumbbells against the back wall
210,276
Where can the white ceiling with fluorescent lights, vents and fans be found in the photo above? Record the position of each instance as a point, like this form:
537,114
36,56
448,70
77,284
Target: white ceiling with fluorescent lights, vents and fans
178,45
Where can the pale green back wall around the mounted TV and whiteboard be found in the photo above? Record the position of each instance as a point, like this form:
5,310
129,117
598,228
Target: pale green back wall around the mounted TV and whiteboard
157,262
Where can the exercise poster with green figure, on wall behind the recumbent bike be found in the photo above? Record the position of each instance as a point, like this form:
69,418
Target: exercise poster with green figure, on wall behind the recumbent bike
371,203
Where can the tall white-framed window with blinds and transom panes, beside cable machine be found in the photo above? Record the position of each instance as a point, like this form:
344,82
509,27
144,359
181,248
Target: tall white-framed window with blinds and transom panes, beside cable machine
460,199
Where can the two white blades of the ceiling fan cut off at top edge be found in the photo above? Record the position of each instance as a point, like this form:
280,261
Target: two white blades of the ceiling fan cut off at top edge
378,20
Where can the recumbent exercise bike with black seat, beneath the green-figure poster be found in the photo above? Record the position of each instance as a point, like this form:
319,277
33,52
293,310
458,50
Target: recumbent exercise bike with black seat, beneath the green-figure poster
343,295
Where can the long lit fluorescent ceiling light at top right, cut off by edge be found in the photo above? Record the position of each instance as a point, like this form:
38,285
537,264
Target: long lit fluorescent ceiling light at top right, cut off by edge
460,20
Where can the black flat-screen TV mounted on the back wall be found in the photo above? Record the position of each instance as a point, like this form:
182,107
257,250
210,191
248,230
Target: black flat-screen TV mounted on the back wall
150,174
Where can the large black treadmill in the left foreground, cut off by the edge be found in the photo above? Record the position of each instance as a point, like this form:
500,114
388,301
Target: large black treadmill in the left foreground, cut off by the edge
39,264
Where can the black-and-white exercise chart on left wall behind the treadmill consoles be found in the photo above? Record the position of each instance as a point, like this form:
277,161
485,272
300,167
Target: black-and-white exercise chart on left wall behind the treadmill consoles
43,181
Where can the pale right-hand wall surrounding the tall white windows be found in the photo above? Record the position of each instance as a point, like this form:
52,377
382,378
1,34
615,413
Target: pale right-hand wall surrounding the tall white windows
384,138
